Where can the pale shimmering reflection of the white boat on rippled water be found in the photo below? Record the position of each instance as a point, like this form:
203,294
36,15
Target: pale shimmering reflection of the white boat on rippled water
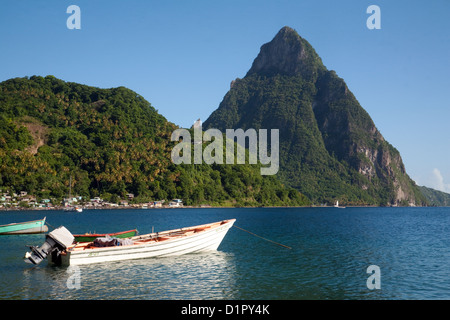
196,276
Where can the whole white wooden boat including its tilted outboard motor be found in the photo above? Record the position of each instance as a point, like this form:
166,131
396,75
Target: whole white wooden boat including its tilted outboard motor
60,250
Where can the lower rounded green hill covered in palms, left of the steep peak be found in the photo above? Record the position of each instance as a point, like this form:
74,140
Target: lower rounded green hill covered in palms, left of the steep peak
111,142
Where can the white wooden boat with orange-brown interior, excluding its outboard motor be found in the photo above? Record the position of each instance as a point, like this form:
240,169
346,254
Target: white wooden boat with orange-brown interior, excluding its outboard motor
200,238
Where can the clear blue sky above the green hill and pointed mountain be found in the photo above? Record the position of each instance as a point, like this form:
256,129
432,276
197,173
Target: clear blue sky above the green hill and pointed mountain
182,55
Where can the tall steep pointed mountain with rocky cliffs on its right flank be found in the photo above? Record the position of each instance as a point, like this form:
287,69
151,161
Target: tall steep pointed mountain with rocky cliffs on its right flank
330,148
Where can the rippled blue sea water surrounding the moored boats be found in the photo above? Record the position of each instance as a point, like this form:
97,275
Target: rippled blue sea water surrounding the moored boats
331,251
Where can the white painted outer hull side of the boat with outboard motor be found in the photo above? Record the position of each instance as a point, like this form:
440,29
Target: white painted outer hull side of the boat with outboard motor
204,241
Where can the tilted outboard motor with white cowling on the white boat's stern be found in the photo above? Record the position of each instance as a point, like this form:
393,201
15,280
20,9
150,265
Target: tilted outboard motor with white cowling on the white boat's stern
55,242
